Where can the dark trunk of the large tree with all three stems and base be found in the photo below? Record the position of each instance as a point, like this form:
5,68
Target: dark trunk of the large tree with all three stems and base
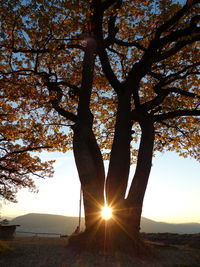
123,228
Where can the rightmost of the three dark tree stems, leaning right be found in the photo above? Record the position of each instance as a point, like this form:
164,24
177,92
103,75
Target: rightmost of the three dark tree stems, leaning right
137,190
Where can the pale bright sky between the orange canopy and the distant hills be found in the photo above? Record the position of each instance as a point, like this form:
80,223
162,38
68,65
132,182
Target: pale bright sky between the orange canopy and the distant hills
173,192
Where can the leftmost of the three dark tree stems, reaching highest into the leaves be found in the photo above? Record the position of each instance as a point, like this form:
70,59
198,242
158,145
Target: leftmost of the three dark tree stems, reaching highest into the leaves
87,154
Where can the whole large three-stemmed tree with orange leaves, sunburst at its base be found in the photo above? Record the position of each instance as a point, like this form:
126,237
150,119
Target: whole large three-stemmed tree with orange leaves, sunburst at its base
124,76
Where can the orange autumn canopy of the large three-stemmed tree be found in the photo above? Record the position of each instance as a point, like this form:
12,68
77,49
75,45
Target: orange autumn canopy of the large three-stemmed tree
42,48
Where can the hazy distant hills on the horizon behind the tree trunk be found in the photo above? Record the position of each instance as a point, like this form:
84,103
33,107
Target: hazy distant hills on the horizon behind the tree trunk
48,223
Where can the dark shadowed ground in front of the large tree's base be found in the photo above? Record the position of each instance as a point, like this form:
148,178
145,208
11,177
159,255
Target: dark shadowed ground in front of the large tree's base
54,252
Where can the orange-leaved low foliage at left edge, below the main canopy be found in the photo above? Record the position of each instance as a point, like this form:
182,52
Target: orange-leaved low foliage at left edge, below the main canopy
17,165
